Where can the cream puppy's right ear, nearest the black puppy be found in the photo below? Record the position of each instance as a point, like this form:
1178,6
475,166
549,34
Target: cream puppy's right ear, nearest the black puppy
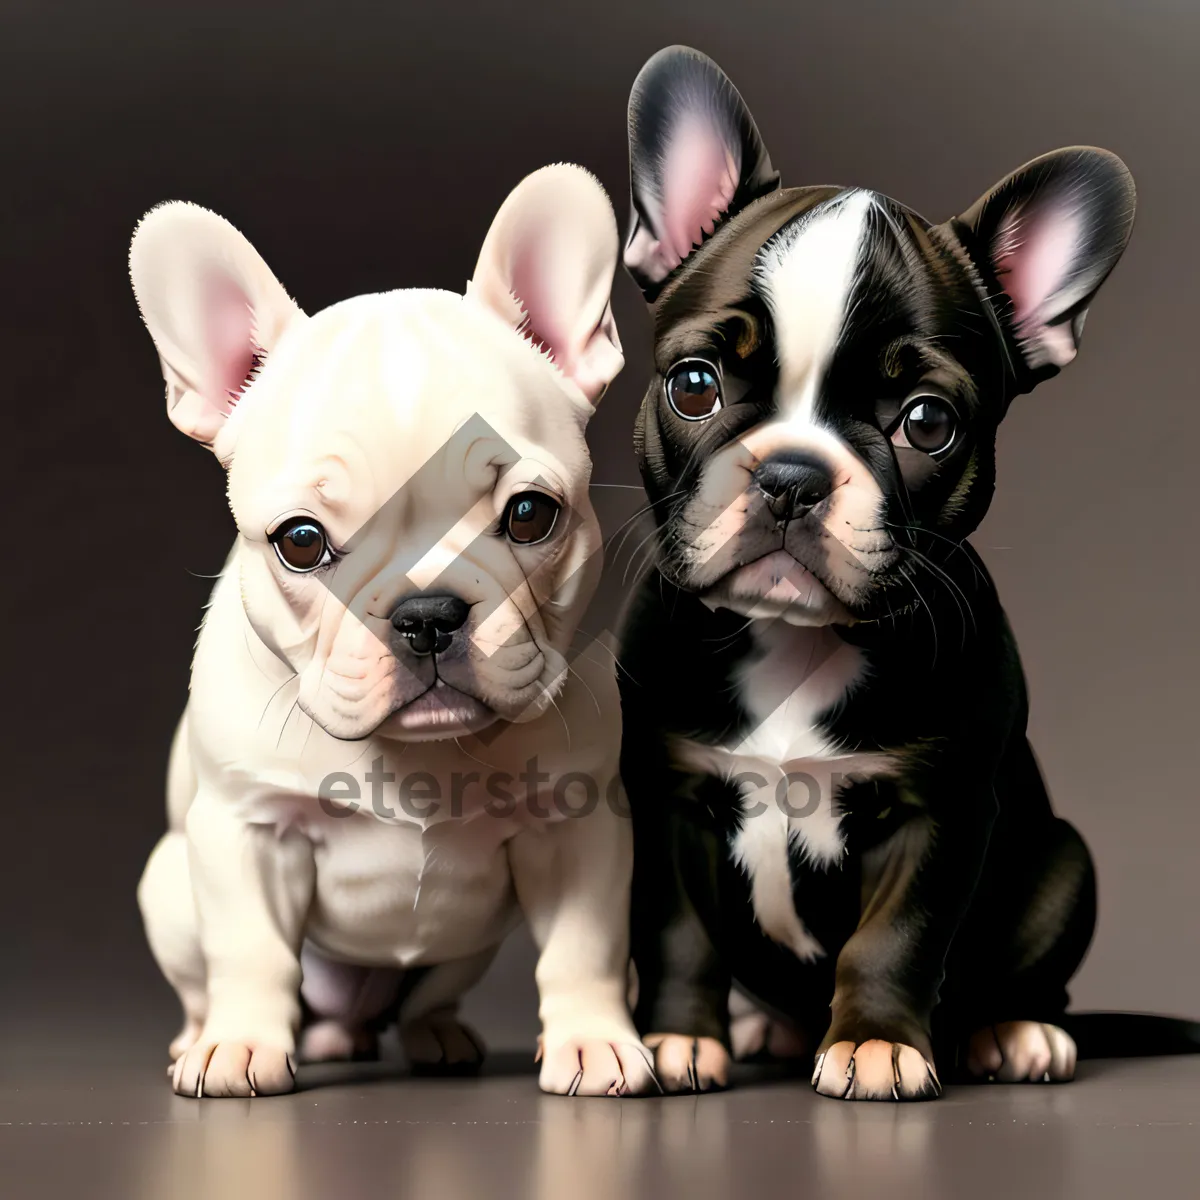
547,268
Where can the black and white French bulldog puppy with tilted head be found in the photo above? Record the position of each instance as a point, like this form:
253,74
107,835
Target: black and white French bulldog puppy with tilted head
825,718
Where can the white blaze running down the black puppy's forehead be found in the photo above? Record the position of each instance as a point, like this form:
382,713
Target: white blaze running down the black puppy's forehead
807,275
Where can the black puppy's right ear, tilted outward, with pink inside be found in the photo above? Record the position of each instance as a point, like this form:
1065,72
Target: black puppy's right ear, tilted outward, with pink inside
1047,238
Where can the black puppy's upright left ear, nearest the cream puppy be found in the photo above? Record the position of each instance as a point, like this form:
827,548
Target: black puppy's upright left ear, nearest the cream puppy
695,158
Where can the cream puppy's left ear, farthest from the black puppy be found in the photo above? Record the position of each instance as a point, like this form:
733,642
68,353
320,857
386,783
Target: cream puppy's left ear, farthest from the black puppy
213,308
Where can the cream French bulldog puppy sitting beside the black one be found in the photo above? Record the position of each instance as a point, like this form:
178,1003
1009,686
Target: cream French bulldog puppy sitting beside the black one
386,758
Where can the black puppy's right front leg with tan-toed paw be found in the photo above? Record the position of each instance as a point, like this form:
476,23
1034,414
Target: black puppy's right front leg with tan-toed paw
916,890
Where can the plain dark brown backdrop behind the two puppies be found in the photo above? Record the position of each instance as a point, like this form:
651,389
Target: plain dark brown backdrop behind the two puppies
367,147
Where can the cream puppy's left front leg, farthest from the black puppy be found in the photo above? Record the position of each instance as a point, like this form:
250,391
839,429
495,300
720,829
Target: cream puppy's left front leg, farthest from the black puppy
253,890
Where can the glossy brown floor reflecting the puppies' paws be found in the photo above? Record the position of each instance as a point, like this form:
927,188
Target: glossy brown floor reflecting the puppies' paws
111,1130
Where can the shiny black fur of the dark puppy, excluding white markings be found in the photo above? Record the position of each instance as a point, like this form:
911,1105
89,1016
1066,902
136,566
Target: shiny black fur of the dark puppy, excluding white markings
962,901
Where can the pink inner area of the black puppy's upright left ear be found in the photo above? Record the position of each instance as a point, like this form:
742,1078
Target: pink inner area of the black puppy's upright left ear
700,177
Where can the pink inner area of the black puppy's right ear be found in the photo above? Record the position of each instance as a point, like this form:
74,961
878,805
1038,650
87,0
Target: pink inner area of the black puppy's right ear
1035,256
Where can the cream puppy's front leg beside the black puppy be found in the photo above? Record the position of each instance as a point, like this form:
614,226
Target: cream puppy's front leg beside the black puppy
573,880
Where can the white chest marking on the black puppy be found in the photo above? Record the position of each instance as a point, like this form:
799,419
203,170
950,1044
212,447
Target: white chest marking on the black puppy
788,771
